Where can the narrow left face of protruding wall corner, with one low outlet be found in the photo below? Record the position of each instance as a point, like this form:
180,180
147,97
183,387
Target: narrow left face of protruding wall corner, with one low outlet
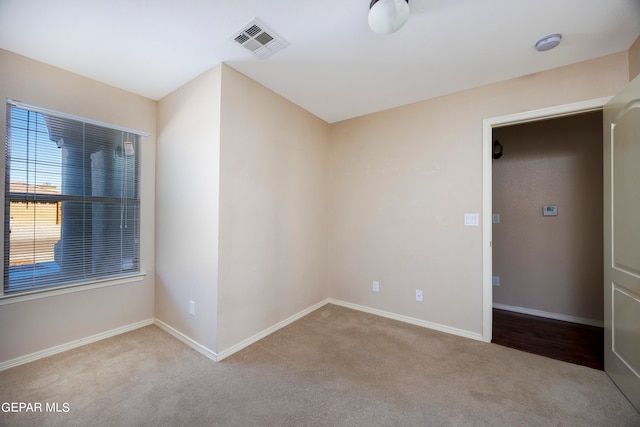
187,205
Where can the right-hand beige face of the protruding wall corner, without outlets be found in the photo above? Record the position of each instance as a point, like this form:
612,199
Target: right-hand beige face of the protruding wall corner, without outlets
273,209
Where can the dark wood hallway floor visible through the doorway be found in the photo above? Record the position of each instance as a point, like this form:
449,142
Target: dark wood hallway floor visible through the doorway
571,342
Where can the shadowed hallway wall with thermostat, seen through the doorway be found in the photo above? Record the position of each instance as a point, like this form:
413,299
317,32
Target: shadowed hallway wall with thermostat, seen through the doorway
553,264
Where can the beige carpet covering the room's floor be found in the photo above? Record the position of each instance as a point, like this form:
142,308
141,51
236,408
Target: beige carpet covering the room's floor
334,367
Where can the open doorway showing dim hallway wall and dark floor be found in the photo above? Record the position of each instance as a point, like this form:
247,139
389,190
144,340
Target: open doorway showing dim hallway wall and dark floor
547,238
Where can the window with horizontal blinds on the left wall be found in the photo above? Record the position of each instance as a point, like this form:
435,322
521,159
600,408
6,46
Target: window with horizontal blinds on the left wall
72,200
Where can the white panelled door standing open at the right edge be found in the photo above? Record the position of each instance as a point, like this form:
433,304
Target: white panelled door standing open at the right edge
622,240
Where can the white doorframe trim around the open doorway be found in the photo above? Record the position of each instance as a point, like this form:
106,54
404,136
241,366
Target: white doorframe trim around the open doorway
487,183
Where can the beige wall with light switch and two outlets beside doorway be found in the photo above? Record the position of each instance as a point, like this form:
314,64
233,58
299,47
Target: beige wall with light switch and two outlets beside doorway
402,180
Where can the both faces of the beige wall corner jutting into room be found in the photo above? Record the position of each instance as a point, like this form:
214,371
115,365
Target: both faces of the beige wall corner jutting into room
251,251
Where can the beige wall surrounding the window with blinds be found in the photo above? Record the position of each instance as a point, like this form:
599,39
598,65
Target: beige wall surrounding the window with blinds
30,326
